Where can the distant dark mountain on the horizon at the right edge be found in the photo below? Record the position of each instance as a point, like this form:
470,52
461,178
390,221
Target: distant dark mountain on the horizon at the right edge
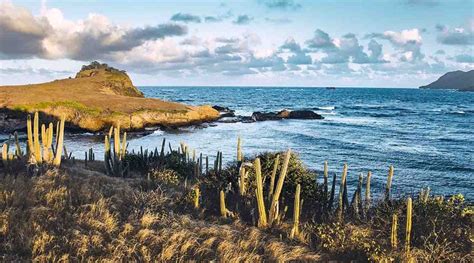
459,80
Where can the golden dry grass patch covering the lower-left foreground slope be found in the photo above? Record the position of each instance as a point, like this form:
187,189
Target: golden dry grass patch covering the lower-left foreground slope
79,215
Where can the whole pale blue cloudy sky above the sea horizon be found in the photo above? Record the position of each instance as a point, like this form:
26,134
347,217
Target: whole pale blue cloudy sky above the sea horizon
351,43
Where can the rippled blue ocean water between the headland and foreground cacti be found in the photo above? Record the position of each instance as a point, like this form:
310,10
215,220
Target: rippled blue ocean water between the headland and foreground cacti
427,135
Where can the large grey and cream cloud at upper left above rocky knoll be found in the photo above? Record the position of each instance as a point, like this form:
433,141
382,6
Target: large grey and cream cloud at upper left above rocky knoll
51,36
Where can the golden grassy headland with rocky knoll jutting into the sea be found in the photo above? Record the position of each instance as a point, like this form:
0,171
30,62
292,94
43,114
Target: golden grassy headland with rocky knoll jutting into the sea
98,97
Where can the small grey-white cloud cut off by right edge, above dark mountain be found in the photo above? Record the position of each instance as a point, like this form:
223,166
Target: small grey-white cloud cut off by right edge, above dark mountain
456,36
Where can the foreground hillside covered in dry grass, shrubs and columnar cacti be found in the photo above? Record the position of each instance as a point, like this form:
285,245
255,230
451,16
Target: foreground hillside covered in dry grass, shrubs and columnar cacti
173,204
